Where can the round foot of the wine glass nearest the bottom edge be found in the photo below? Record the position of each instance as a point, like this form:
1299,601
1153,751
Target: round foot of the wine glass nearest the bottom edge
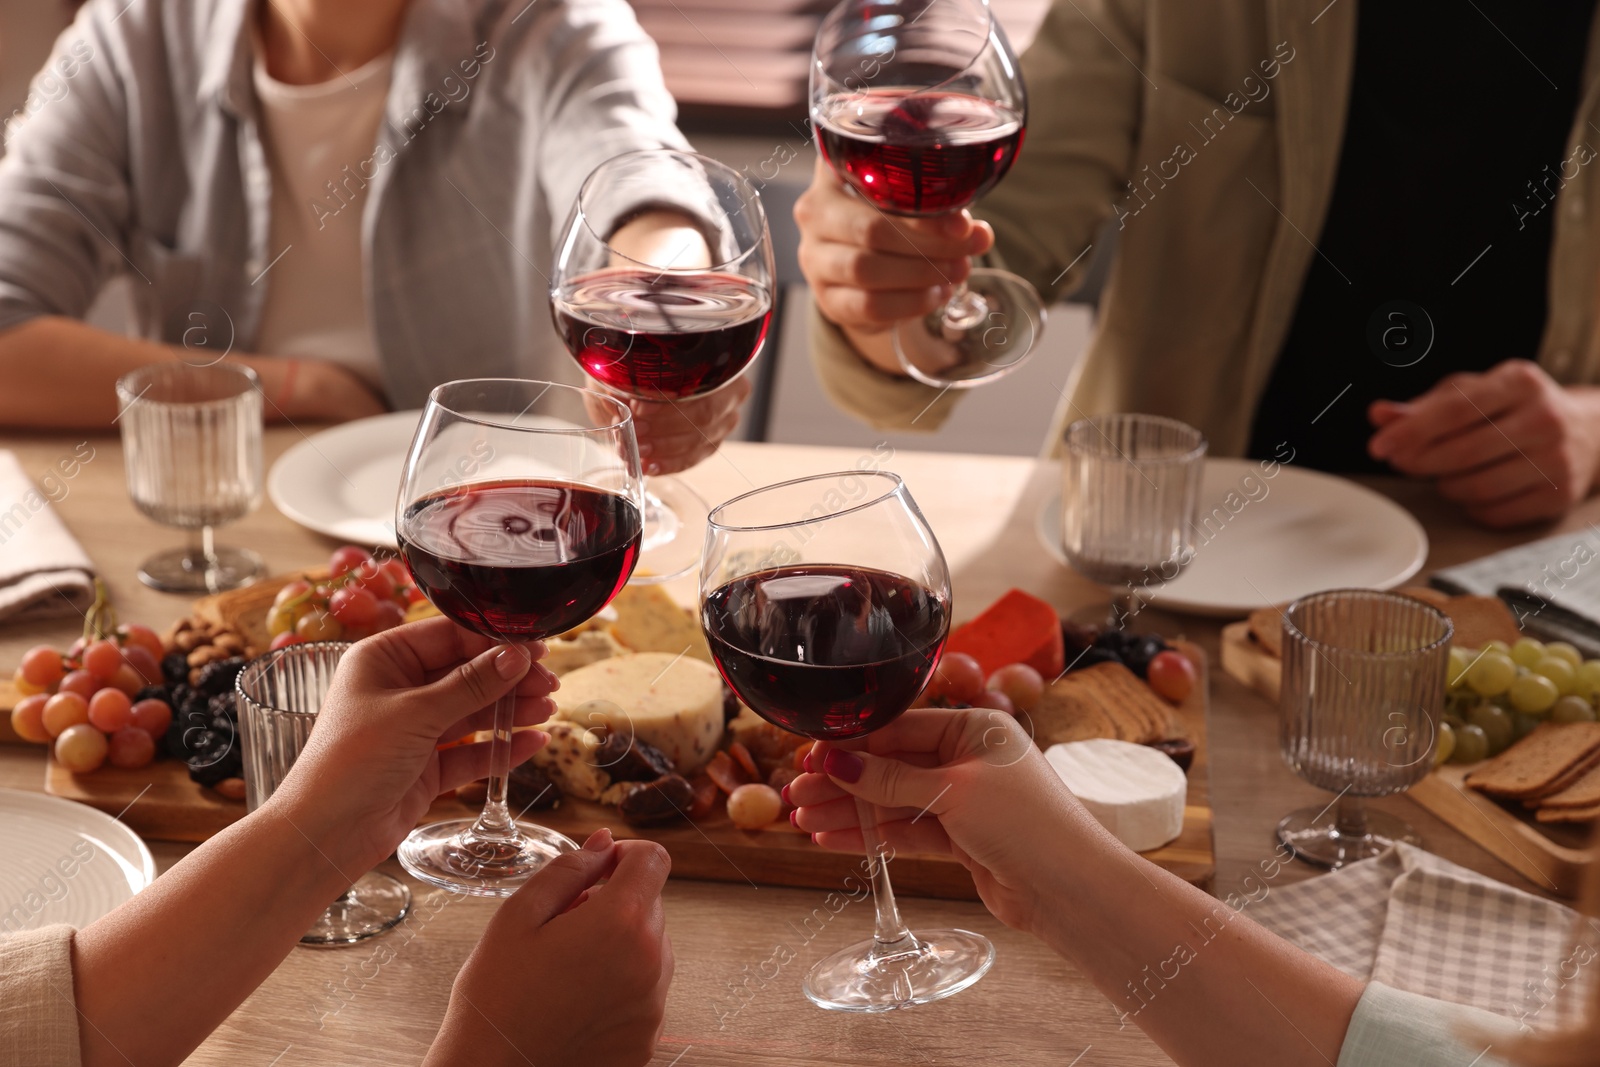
865,978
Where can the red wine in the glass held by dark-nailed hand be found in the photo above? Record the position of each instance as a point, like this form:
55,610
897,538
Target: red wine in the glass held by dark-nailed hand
826,652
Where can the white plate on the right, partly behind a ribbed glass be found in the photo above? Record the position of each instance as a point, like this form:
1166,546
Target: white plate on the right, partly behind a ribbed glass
1305,532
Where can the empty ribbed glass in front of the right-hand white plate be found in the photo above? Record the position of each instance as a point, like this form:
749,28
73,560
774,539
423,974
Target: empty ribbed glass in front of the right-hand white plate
1130,497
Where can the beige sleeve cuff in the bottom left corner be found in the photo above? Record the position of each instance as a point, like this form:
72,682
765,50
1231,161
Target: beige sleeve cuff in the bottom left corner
39,1018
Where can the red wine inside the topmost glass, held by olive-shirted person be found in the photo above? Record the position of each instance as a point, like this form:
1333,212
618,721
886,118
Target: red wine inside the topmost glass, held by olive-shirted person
919,153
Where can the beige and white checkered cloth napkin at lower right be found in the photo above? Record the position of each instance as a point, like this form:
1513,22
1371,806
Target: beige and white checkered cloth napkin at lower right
1422,924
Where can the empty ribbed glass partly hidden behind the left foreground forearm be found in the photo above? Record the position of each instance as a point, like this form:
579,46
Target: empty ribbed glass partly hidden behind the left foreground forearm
279,698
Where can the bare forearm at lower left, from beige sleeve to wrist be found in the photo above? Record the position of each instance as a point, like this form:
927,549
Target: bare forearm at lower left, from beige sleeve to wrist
214,927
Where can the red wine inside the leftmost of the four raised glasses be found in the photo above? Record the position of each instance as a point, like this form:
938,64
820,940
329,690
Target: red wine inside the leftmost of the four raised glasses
521,559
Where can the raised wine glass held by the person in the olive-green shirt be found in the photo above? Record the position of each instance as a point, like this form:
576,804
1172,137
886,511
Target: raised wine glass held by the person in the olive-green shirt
921,110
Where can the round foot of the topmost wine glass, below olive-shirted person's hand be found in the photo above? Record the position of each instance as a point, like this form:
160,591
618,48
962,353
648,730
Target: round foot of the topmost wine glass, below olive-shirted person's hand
986,343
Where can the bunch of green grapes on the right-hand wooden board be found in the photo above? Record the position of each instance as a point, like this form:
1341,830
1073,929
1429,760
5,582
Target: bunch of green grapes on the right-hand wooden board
1498,693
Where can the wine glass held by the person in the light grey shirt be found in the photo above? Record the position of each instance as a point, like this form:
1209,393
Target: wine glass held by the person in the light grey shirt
665,321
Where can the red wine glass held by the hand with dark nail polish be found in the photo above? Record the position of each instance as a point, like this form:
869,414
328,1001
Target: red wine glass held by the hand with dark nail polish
826,602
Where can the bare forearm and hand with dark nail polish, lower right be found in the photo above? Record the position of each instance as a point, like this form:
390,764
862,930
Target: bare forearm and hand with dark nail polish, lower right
1206,983
